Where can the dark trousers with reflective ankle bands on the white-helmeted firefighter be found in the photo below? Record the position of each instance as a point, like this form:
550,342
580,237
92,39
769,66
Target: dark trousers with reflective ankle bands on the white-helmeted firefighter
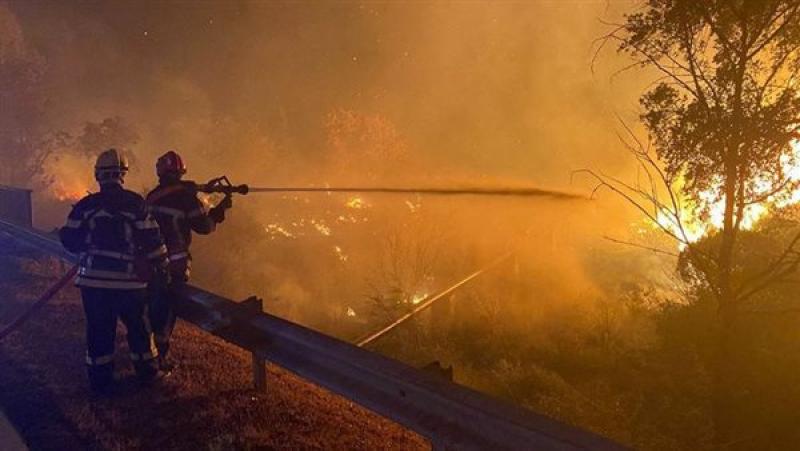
102,307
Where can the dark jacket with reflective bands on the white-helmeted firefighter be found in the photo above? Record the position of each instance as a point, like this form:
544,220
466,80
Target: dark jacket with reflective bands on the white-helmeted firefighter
114,235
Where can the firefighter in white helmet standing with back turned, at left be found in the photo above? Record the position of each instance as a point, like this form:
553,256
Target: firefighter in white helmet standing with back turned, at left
120,248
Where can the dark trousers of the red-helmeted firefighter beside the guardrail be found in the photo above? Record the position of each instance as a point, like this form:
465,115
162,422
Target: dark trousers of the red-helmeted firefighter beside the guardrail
163,297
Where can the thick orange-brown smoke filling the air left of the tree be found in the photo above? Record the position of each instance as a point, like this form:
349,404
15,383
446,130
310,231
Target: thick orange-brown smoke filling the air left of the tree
323,95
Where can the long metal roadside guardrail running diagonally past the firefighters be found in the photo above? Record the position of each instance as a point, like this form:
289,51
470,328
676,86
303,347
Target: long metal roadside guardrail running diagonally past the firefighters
449,415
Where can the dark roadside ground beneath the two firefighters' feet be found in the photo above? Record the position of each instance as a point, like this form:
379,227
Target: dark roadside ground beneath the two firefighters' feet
206,404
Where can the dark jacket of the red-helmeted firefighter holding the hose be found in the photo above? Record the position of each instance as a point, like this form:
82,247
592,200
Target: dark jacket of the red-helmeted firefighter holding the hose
179,212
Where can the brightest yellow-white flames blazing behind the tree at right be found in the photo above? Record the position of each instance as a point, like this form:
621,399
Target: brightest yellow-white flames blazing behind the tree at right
694,228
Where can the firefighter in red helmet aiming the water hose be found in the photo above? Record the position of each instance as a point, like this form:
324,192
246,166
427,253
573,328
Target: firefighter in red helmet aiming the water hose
178,211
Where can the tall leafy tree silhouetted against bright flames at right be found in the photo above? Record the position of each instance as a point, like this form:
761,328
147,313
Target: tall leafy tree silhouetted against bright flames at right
722,118
